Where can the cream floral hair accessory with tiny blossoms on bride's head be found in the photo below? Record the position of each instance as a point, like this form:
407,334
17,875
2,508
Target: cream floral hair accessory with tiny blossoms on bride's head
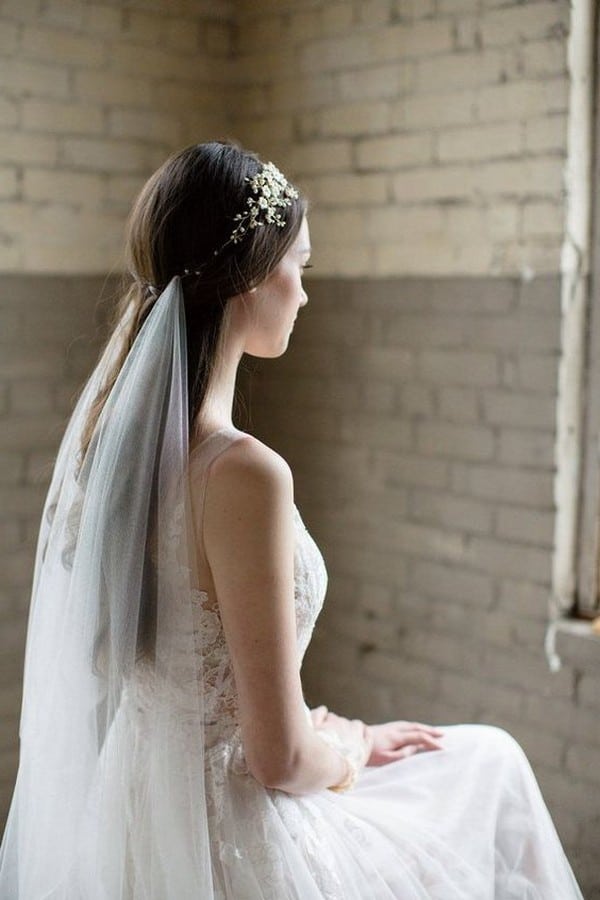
270,192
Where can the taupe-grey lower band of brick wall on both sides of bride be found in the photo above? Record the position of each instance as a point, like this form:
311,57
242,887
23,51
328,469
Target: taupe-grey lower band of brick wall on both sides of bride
418,418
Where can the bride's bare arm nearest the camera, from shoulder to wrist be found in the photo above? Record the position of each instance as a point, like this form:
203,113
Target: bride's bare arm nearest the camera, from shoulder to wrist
249,536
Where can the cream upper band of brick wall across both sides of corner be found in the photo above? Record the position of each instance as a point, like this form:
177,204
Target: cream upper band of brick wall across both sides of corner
448,120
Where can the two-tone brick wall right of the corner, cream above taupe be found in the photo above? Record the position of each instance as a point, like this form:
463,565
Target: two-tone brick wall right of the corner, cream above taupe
418,413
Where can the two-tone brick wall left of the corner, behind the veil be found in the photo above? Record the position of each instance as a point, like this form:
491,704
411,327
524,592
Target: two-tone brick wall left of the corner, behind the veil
93,96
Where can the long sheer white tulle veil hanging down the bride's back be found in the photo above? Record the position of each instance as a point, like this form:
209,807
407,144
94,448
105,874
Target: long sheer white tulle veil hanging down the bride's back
102,810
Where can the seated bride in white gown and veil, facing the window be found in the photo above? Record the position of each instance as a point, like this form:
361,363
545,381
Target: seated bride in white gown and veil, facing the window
167,752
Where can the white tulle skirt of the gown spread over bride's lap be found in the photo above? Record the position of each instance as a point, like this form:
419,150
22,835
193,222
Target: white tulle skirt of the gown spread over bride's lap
467,822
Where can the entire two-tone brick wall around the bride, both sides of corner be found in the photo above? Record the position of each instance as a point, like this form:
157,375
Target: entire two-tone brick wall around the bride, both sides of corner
417,413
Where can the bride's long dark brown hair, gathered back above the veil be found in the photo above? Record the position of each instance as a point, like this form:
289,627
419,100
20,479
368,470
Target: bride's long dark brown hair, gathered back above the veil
182,224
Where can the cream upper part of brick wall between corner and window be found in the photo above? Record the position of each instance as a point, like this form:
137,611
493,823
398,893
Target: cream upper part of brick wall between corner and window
430,135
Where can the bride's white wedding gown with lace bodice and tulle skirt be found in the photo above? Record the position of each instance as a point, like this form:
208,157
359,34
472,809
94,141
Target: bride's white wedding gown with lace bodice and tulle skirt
467,821
